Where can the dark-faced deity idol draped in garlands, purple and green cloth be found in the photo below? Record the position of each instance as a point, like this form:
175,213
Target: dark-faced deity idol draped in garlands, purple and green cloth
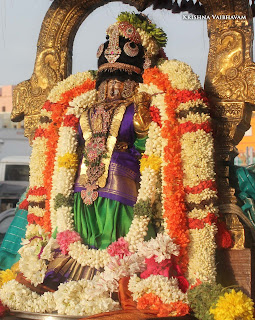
122,191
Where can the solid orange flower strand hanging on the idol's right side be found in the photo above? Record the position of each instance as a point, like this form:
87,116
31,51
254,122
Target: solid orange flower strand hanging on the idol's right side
175,210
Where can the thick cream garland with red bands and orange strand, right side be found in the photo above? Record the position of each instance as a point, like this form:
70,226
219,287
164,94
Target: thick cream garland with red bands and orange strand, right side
187,169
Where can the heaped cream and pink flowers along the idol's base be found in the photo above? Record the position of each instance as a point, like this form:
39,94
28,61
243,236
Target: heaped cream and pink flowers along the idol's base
86,297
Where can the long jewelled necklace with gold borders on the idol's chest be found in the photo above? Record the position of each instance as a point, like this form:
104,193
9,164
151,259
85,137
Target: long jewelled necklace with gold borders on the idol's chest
100,126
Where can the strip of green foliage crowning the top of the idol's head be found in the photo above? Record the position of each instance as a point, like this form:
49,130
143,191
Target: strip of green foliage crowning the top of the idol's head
148,27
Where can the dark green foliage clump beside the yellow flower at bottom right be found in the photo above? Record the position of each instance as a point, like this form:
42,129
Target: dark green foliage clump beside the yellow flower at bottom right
202,297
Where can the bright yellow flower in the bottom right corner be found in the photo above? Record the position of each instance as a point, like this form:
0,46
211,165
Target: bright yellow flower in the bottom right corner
233,306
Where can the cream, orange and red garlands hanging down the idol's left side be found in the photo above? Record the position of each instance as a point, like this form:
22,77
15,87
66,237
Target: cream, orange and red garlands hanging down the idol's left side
58,125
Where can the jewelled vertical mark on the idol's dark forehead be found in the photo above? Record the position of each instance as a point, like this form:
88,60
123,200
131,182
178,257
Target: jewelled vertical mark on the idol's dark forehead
113,51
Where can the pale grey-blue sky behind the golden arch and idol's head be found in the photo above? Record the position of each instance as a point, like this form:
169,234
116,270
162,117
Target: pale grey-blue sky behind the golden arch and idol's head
20,22
